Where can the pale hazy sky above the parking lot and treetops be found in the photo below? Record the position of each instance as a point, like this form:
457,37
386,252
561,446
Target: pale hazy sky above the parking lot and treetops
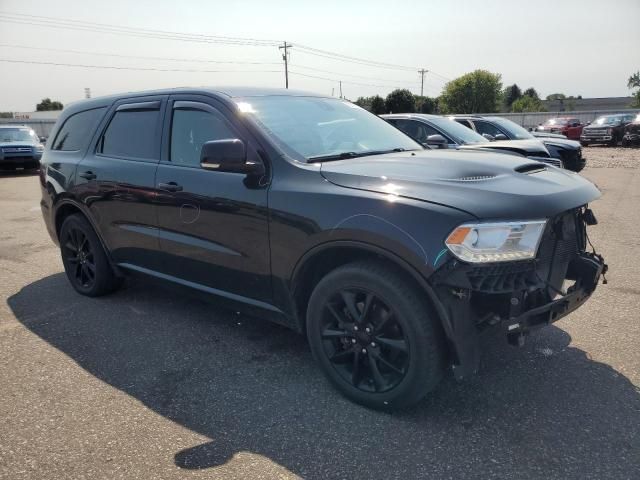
583,47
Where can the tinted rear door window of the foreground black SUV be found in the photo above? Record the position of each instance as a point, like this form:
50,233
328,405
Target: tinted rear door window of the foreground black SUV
132,134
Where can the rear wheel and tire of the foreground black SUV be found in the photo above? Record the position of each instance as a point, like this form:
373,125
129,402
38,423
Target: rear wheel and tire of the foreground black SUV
84,259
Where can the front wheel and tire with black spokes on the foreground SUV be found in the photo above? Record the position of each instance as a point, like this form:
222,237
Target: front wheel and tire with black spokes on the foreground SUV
398,336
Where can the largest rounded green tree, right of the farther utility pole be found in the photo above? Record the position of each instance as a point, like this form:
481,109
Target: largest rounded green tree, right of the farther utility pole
475,92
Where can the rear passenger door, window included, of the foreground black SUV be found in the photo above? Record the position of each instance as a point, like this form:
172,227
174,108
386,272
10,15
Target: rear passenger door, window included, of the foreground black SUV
116,179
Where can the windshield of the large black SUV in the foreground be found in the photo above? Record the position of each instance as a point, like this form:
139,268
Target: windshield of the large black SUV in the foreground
314,128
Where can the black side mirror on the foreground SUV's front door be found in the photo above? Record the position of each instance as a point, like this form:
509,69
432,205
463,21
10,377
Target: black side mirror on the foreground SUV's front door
228,155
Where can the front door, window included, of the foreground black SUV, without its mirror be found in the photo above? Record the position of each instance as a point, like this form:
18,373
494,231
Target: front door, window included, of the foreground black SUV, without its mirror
212,226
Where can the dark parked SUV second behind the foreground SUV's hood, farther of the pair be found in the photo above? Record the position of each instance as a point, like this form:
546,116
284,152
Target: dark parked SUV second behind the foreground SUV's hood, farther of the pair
569,151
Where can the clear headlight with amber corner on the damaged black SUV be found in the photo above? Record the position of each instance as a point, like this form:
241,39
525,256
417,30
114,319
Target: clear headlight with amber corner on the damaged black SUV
496,242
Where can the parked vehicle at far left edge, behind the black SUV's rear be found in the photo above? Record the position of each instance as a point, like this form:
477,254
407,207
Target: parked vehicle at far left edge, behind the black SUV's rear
19,147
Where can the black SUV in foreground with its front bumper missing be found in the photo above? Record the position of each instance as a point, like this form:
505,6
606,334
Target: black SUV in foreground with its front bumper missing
319,215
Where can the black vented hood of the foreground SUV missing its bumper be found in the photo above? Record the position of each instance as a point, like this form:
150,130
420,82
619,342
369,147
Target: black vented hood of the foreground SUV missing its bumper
486,185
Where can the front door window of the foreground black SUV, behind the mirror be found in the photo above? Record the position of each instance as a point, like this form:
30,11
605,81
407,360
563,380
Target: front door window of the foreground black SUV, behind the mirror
190,129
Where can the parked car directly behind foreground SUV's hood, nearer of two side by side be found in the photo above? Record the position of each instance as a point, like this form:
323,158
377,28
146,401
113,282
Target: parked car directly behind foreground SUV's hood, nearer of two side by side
444,132
